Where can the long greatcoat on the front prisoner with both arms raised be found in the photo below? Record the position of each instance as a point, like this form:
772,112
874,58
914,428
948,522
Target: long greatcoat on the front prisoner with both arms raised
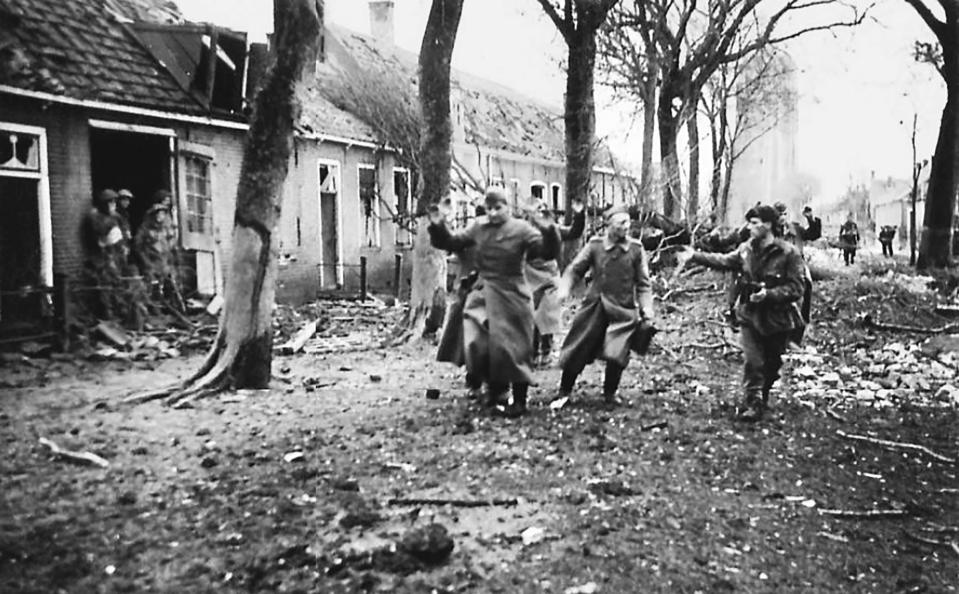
498,310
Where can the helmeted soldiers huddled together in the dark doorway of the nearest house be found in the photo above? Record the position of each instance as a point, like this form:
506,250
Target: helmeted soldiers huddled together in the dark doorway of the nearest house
119,265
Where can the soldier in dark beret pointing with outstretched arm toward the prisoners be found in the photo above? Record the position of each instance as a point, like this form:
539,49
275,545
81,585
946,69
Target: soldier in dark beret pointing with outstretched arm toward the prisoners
769,303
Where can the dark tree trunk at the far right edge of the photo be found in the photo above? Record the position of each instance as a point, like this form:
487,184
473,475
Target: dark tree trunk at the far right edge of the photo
935,246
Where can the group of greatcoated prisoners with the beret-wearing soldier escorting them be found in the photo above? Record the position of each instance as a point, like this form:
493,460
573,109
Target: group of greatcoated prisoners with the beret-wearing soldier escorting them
510,293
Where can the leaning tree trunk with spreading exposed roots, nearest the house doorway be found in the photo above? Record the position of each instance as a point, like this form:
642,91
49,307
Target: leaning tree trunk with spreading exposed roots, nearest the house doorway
242,353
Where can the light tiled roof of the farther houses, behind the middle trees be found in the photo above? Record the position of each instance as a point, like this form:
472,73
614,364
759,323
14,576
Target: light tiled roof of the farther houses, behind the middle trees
494,116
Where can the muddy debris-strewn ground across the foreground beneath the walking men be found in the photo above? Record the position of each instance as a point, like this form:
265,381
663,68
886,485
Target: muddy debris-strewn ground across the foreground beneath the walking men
665,495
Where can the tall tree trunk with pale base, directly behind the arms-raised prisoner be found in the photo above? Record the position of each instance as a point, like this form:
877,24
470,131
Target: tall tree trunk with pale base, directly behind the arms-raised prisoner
428,289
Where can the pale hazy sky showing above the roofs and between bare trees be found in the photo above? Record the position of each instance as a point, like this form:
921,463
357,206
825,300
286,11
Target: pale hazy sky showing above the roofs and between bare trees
858,88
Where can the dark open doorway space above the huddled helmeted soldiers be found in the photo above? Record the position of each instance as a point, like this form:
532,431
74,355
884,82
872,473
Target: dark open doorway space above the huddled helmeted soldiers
132,160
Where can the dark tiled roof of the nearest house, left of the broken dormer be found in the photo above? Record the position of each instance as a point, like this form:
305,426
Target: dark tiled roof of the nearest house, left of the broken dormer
80,49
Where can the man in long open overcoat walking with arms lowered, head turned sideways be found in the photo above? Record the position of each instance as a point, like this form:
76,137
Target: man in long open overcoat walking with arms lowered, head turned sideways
619,298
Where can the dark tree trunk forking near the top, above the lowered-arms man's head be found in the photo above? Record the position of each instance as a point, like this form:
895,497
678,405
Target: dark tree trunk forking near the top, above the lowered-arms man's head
580,116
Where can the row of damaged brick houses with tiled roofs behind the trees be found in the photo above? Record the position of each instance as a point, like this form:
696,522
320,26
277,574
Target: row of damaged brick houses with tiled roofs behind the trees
128,94
